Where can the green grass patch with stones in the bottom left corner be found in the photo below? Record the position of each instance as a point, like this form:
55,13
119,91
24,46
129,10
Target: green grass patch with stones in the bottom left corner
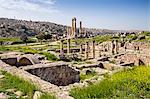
14,82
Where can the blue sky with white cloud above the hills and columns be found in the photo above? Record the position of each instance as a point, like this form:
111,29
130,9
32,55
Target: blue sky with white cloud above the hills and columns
108,14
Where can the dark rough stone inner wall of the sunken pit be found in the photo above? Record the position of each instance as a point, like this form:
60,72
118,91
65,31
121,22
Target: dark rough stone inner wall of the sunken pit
61,75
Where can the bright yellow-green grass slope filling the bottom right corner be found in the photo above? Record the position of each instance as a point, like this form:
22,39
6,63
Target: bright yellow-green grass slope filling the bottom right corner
130,84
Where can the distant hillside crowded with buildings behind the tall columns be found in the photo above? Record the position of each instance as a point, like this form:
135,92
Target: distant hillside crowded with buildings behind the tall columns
16,28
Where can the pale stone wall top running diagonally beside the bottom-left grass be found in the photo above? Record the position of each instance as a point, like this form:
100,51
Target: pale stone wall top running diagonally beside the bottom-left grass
43,85
